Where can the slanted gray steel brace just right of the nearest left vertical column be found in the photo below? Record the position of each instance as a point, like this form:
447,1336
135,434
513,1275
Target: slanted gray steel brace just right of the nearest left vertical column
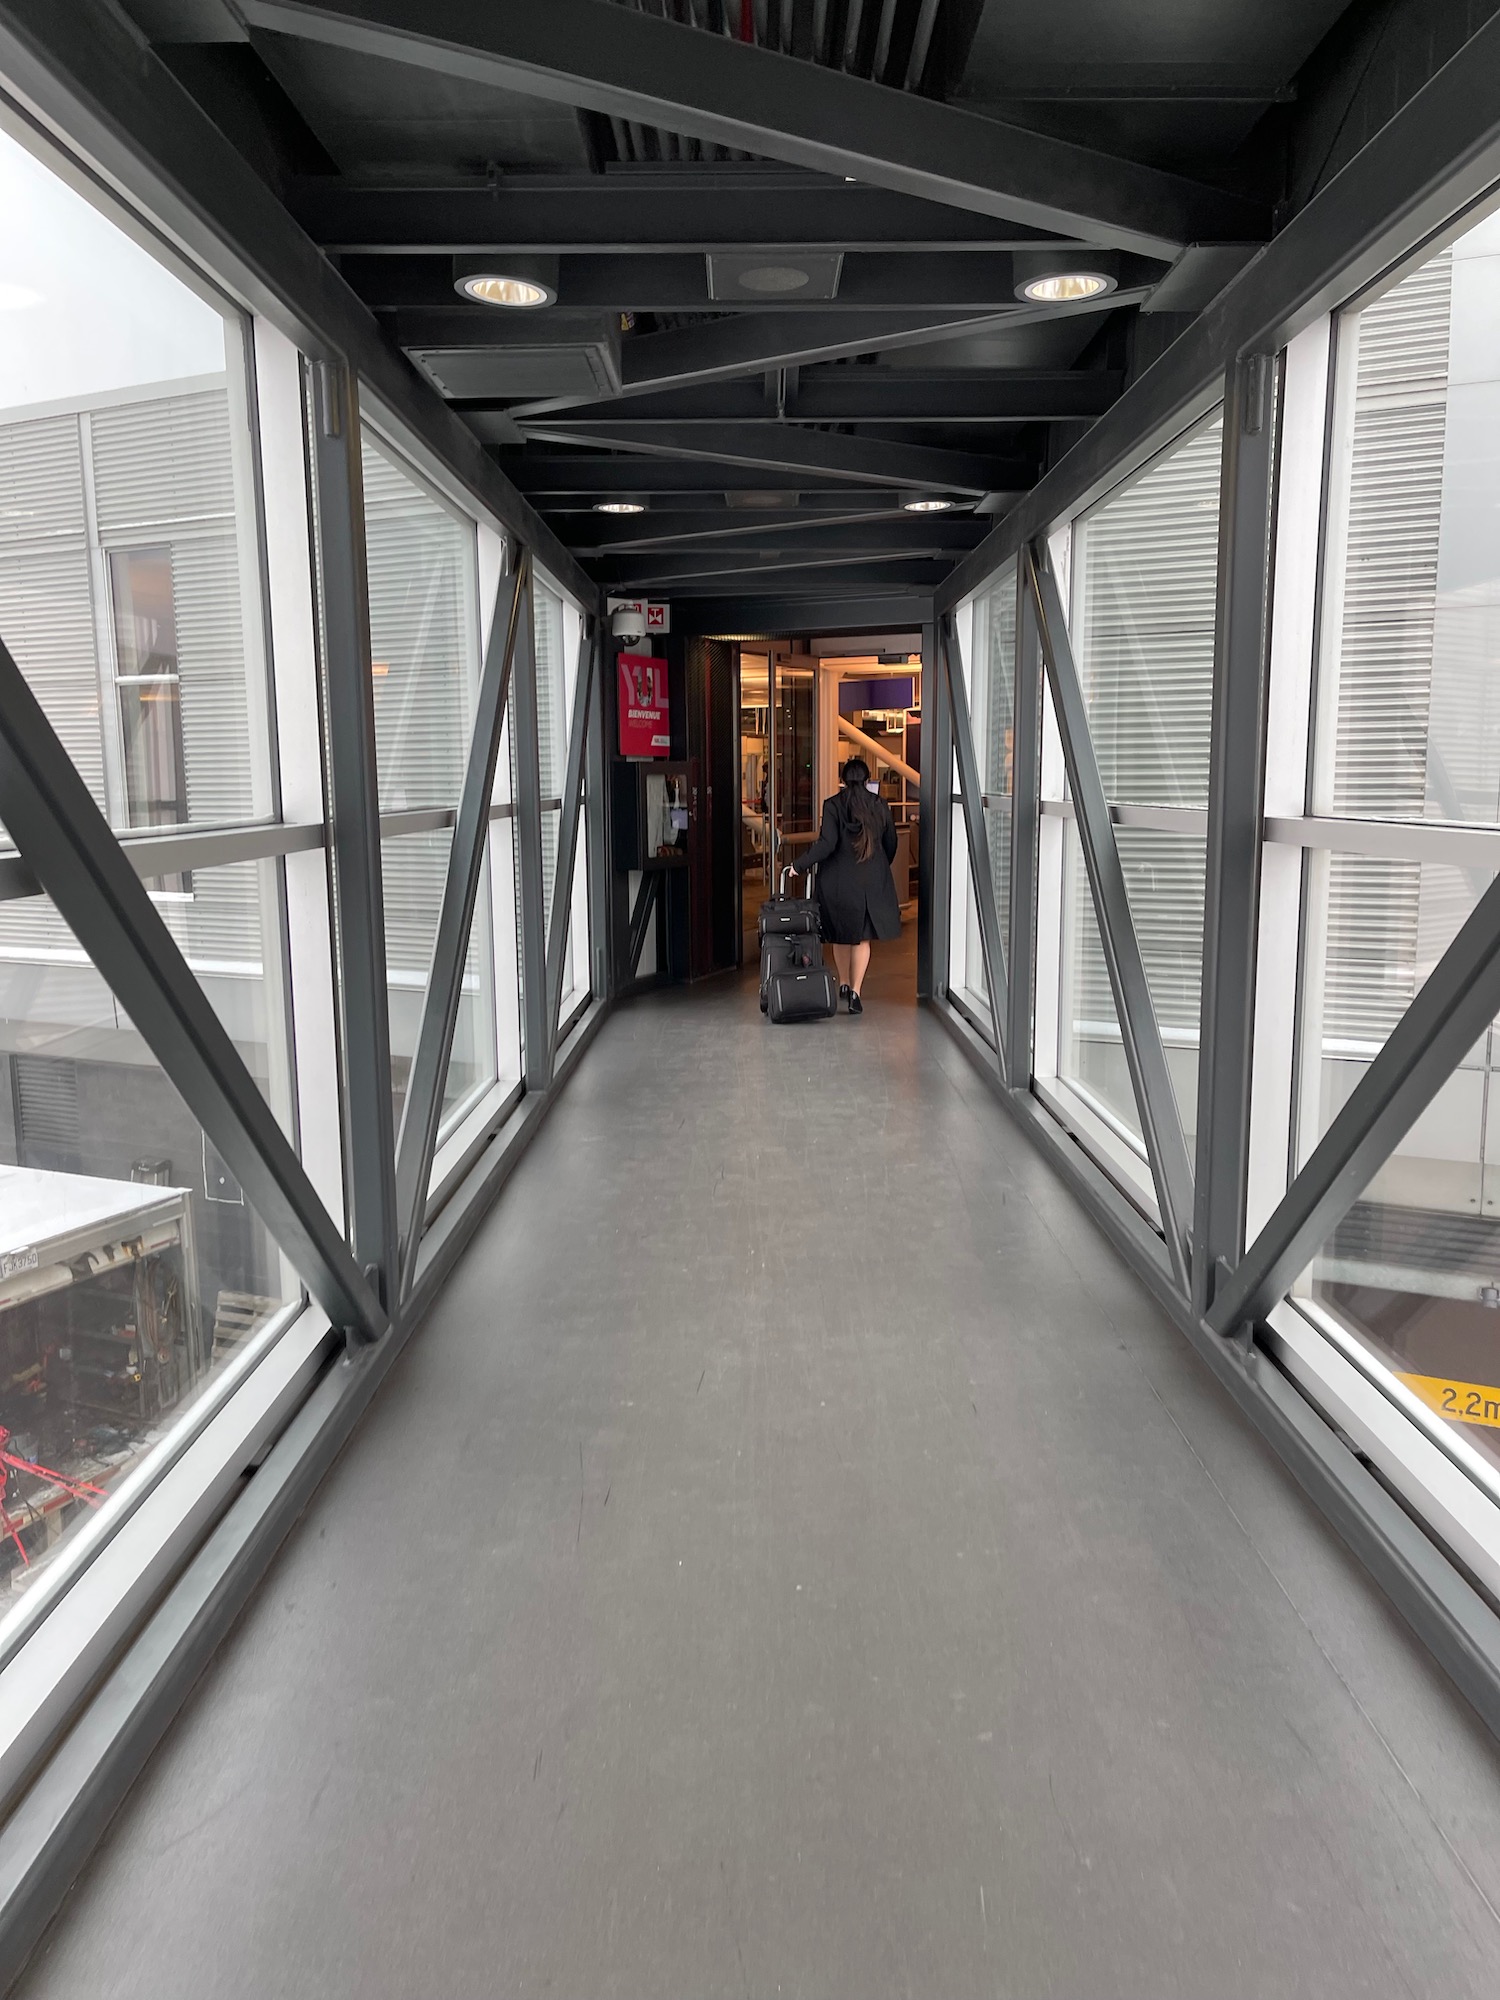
423,1109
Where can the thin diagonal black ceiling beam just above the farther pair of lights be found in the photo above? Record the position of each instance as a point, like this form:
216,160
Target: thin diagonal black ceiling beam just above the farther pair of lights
789,449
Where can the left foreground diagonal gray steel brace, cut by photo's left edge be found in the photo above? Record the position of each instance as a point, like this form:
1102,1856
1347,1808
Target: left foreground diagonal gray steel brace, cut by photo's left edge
81,865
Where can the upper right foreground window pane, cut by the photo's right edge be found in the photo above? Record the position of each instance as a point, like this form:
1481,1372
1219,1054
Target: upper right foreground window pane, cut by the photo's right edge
1409,713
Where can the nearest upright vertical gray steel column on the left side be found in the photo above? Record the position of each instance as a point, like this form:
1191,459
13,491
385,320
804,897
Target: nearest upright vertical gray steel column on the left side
355,823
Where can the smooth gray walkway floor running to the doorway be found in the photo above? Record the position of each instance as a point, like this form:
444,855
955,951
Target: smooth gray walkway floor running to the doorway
797,1559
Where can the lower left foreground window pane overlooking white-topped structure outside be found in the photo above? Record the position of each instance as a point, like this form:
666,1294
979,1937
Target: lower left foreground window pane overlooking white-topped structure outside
131,1267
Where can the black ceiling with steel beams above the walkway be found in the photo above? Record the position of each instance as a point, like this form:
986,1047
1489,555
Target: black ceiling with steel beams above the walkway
903,165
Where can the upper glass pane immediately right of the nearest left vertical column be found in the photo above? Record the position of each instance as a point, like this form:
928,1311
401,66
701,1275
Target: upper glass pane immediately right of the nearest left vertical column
423,577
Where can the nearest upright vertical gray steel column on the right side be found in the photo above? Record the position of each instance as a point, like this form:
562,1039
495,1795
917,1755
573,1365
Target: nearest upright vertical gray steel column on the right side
1237,777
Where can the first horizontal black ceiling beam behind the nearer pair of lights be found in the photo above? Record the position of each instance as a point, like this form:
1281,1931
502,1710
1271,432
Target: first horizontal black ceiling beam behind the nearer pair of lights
875,397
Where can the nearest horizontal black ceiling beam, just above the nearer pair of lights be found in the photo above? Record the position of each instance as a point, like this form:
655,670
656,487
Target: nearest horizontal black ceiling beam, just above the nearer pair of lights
631,215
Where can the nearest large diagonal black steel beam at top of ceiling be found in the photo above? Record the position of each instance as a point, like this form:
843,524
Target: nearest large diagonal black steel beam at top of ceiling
627,65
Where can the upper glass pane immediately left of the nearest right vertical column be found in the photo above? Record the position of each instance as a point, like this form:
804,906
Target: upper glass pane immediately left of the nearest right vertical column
1145,577
